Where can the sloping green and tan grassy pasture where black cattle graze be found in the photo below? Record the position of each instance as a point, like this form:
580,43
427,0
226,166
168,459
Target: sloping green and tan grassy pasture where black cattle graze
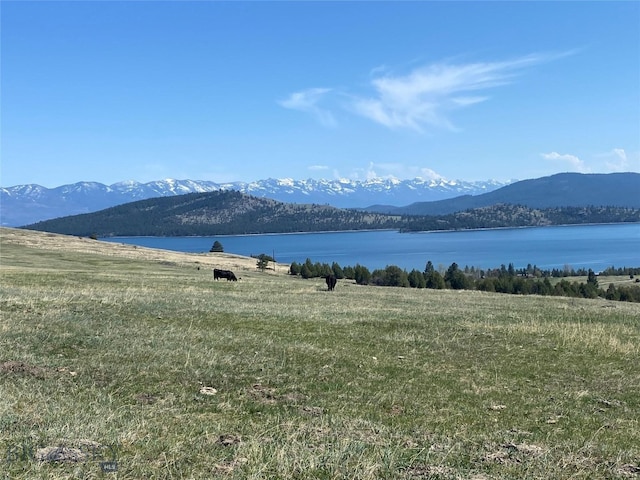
129,363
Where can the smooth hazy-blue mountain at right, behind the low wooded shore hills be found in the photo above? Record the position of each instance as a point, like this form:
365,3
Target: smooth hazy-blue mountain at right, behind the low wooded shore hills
561,190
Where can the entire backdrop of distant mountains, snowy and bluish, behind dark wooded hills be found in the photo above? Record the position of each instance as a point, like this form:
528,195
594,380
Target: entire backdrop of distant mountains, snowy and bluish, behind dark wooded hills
29,204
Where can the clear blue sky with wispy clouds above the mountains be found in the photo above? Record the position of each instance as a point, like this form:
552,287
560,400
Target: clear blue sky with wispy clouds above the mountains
242,91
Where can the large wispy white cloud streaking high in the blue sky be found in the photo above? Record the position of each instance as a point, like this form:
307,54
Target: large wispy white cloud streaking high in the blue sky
423,98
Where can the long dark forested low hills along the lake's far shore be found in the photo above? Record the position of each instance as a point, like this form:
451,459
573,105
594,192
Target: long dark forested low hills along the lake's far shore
234,213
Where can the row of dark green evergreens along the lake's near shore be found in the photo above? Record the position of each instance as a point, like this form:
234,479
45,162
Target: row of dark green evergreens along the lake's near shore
505,279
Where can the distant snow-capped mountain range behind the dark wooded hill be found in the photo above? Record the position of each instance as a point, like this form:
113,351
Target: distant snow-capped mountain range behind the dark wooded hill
27,204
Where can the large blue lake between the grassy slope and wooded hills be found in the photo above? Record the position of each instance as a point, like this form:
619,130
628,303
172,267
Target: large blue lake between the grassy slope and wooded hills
584,246
